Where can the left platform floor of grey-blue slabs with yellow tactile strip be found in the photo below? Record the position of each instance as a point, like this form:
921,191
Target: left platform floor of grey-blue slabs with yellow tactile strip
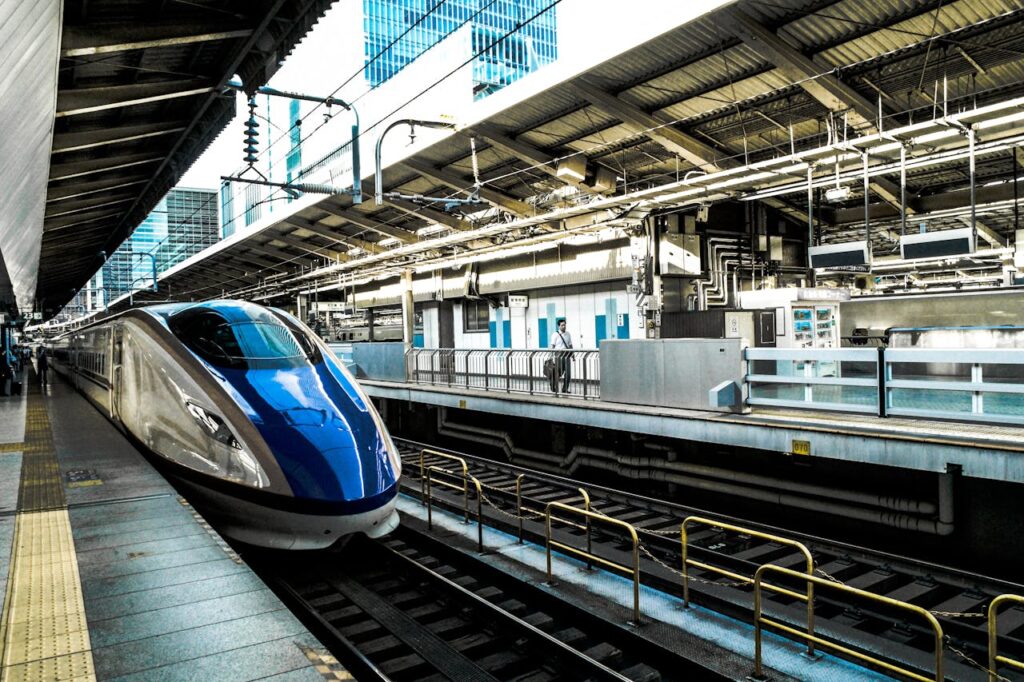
106,573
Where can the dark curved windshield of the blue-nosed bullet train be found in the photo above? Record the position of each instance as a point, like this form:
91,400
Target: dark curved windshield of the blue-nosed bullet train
258,343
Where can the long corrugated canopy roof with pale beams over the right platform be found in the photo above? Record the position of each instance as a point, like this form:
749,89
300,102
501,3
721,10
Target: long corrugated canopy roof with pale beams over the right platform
740,94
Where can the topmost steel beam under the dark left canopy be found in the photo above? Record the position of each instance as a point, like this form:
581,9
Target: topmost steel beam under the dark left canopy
91,39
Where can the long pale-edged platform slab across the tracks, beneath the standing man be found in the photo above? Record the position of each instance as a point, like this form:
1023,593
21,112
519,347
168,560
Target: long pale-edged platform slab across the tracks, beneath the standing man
982,451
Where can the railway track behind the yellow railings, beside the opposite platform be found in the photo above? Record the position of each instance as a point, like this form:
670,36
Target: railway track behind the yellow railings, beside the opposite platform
958,600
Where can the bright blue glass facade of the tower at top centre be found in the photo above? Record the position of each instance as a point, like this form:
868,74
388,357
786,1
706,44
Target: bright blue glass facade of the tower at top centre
506,47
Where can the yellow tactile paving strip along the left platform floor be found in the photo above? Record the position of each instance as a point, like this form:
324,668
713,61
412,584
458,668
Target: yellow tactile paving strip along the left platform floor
44,629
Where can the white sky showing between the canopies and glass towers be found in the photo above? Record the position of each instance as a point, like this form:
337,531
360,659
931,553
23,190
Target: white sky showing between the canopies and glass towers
589,32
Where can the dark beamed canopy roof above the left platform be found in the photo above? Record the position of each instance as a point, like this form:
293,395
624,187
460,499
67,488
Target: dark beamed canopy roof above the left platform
139,99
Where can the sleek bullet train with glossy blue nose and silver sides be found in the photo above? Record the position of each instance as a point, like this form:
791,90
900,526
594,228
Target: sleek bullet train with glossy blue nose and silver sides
251,415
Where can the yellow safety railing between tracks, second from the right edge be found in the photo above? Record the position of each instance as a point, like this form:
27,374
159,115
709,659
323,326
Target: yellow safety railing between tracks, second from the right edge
760,621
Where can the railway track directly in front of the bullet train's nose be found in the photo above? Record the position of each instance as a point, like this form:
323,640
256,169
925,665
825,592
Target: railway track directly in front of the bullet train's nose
411,608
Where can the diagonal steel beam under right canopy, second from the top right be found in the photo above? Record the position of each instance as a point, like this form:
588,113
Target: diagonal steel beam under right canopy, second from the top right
658,127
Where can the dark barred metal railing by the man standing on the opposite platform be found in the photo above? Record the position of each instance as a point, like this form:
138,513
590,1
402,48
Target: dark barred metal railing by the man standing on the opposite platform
575,373
